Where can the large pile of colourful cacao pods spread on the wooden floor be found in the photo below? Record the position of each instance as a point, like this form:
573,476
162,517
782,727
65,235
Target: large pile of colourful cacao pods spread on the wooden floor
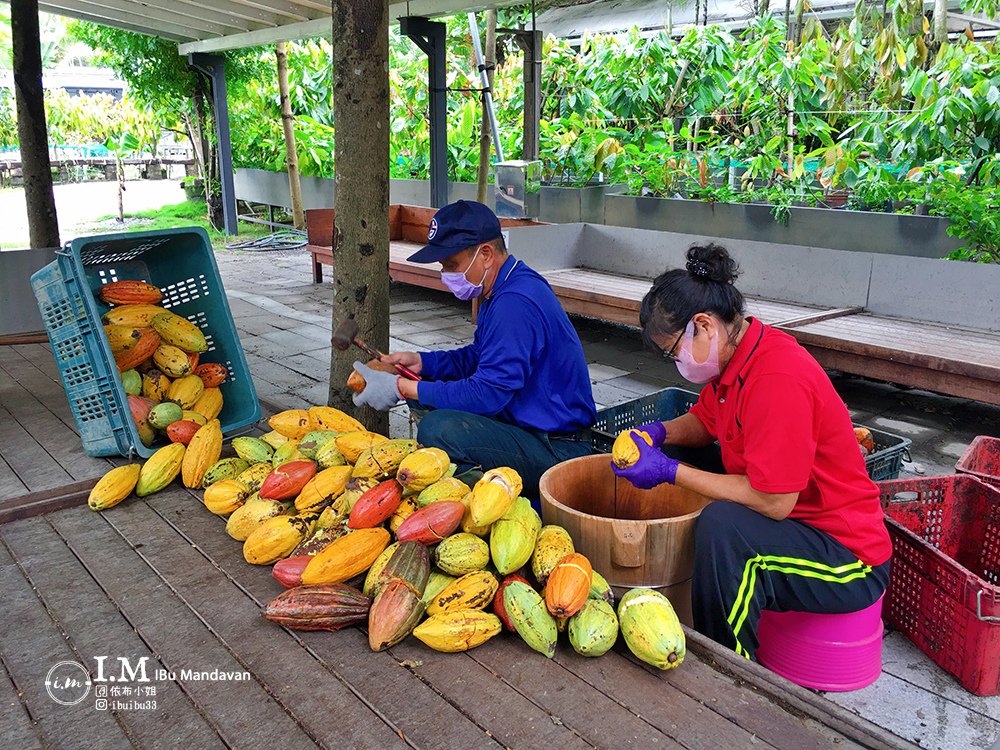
362,529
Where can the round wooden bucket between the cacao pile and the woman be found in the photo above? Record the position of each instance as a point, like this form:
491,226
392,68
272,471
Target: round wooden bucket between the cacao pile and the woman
632,537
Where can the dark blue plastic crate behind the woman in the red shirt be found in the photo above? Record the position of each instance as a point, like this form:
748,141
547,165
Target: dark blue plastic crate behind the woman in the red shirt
670,403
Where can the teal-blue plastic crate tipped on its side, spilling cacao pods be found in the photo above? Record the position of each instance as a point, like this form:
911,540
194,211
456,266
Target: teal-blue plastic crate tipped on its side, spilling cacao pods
179,261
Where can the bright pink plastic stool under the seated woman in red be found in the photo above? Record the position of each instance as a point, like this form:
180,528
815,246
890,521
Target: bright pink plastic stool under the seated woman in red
824,652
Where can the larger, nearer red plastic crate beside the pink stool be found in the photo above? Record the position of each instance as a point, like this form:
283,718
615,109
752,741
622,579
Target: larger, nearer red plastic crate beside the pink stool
944,592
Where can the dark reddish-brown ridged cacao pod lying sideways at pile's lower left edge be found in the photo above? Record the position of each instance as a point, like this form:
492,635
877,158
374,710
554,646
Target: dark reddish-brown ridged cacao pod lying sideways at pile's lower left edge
323,606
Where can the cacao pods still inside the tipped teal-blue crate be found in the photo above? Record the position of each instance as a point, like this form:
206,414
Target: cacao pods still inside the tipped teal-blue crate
170,393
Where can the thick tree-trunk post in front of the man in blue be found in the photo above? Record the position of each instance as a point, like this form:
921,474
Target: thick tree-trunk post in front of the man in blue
361,195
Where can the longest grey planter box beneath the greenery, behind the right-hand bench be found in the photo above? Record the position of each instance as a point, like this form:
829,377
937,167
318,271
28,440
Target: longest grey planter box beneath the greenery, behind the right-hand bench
894,234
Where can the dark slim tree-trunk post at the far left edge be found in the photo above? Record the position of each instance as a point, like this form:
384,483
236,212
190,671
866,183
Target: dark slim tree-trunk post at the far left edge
32,133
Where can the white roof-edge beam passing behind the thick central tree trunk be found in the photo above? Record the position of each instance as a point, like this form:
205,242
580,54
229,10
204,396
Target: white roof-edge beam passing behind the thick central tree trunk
321,27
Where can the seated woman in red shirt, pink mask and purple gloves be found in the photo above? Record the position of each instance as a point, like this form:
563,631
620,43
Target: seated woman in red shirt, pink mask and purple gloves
797,525
